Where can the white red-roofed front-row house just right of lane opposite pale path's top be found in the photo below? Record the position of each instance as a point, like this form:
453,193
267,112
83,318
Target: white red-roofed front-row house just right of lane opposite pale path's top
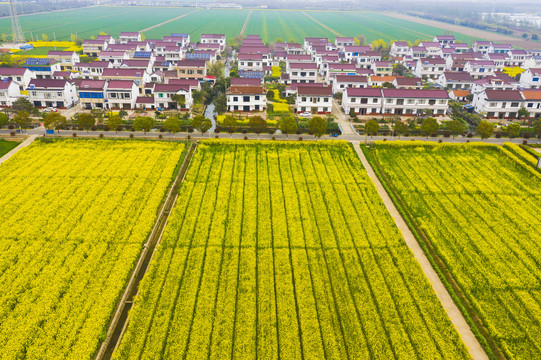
363,101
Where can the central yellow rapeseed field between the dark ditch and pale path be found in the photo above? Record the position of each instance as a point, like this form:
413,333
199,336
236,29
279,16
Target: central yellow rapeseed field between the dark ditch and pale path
284,250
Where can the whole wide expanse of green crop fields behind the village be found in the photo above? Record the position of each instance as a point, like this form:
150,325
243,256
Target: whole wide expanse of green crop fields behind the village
270,24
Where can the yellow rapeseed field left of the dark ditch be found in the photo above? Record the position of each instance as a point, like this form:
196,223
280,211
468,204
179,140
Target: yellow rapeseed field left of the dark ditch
75,214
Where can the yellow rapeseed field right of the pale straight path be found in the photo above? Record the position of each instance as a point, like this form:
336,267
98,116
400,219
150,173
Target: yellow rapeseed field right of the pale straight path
478,206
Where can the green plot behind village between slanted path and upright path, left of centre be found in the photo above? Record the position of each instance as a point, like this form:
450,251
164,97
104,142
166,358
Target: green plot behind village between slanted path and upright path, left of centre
228,22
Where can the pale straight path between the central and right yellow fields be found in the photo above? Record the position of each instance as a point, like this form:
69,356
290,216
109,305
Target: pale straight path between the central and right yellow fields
474,347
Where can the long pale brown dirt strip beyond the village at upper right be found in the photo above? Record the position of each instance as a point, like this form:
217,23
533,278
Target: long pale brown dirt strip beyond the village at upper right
476,33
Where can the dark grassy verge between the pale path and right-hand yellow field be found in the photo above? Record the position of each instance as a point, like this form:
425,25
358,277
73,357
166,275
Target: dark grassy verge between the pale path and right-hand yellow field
442,269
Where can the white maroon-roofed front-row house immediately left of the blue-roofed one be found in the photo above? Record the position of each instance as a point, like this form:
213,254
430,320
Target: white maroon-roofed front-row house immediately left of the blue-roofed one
52,93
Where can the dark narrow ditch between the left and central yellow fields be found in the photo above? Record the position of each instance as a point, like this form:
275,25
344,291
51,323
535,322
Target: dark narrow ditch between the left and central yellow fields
120,319
